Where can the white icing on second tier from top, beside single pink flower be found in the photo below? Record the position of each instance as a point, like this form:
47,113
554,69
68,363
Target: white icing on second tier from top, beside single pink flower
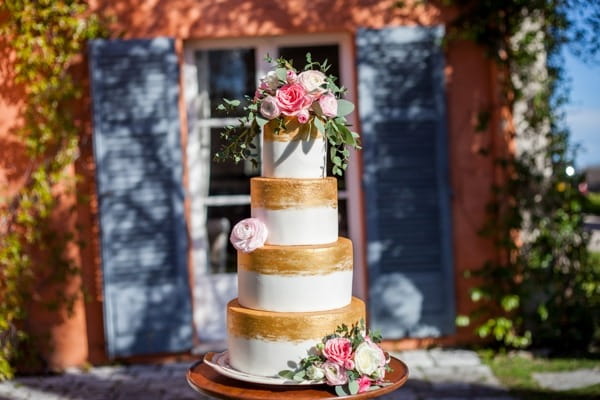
303,226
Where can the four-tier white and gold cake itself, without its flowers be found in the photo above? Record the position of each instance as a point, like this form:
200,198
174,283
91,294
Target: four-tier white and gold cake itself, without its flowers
297,287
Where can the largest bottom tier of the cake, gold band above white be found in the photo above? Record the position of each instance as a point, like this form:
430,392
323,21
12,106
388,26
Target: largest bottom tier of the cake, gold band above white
265,342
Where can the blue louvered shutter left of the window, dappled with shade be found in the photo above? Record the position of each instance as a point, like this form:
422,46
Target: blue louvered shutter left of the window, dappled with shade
135,92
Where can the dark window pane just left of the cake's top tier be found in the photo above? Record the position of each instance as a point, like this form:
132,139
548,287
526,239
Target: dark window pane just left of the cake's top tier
228,177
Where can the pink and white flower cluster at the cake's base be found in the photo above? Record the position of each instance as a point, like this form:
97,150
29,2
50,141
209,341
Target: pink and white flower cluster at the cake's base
349,359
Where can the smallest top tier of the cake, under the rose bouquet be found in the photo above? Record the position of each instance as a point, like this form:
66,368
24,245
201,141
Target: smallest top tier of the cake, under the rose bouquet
298,152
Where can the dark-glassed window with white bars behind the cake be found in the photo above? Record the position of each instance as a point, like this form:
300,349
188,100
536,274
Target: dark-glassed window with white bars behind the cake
232,73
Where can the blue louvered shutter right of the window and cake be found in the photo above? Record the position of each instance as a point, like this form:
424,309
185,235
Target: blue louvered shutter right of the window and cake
405,178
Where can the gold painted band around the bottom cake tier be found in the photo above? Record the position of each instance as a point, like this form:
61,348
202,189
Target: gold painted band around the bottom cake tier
285,326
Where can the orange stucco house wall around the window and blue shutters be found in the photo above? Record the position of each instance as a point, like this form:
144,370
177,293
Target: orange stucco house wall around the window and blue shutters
470,88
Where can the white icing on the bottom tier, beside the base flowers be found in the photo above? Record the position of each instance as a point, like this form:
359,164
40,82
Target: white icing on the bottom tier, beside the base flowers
266,358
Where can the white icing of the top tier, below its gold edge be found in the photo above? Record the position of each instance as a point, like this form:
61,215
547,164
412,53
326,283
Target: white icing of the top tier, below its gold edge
294,159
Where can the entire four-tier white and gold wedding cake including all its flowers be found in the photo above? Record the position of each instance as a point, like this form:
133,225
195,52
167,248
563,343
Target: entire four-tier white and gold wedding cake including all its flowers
295,316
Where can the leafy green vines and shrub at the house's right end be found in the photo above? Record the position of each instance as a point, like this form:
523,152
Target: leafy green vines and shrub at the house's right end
543,288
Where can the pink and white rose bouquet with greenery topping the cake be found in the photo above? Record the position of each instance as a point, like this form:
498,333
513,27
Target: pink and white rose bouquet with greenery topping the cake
286,94
